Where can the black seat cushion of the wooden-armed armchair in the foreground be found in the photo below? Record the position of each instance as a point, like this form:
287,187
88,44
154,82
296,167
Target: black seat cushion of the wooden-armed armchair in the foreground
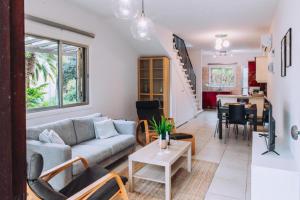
89,176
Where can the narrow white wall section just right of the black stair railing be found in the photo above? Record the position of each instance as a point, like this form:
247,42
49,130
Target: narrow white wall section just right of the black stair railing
196,59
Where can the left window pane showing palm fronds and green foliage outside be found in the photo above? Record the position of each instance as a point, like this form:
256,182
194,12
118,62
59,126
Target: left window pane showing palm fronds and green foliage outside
41,66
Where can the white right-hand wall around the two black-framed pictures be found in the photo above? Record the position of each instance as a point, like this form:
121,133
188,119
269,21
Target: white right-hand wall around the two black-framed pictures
284,92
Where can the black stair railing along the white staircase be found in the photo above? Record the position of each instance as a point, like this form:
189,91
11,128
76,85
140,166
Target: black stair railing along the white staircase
185,59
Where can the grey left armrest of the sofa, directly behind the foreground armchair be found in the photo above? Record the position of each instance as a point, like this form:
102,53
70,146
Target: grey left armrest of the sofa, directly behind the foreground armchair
53,155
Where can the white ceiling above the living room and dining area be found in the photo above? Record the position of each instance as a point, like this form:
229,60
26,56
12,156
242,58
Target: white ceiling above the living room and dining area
198,21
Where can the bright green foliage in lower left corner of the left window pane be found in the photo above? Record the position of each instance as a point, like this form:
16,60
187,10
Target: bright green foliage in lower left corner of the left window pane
35,96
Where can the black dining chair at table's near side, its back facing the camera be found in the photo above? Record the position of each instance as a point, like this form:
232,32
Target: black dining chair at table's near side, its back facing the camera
237,116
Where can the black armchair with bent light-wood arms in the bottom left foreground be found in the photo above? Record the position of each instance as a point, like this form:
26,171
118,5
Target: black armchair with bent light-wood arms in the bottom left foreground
94,183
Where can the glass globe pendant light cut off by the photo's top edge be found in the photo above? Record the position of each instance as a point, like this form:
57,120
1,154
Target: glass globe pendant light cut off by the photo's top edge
125,9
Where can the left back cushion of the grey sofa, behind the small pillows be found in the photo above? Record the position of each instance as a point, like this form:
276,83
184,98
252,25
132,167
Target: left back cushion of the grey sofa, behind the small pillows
63,128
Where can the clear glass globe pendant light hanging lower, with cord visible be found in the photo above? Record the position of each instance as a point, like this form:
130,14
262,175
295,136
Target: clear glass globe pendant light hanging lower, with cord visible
142,27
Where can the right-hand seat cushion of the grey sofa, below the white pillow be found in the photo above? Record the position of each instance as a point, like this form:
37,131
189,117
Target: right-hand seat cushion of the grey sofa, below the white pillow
116,144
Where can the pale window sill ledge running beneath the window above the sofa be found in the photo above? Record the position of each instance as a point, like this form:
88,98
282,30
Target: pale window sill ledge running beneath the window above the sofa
57,111
